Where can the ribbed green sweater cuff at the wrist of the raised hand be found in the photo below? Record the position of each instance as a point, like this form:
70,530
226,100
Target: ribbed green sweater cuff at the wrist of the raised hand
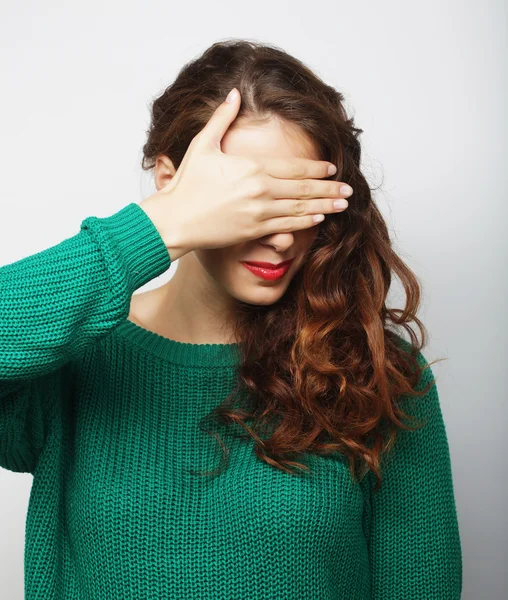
138,243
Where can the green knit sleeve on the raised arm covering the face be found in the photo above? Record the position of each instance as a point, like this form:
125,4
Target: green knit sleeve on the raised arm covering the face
56,303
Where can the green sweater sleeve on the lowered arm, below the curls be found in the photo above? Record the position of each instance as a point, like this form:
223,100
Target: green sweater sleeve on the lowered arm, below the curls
415,548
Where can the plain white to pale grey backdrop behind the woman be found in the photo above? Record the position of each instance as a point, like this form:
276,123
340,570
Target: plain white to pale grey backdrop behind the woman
426,81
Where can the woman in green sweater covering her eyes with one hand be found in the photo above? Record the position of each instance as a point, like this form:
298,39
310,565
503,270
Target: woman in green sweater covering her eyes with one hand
239,432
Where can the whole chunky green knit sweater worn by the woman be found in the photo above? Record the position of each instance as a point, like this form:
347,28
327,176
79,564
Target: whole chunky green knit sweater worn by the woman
104,414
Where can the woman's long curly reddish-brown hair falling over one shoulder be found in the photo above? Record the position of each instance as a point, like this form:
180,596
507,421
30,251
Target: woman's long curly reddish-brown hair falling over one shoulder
322,368
